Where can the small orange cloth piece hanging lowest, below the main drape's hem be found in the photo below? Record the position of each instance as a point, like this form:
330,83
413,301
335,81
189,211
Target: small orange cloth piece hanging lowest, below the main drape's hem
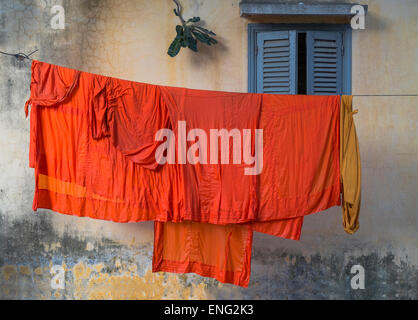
222,252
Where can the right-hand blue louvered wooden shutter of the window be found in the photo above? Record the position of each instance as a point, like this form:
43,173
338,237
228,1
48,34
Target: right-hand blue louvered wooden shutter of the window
324,51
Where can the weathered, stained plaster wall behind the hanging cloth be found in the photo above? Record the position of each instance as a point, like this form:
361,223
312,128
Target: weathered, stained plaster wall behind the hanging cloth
129,39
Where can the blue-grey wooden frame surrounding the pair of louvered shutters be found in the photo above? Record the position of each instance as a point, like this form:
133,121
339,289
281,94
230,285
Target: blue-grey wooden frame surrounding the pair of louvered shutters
255,28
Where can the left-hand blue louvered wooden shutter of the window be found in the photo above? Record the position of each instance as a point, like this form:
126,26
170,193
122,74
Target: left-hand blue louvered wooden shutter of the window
276,62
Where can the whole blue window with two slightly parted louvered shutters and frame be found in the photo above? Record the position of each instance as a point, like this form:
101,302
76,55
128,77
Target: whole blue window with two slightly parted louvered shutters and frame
299,59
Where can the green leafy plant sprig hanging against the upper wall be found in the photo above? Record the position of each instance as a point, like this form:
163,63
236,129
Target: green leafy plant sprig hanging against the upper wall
188,33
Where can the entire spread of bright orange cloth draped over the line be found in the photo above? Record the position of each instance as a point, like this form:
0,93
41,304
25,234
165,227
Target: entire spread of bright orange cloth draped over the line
93,147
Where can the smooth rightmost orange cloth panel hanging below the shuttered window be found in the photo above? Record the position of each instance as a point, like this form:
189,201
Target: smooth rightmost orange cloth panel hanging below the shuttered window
301,173
